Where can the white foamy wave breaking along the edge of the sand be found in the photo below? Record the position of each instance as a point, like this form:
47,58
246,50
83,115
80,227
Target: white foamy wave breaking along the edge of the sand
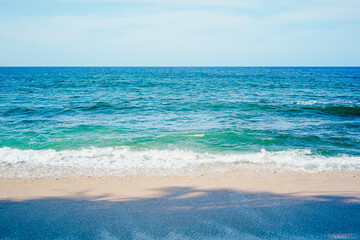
122,160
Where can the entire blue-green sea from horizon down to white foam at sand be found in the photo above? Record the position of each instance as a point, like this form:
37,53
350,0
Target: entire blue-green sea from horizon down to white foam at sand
172,118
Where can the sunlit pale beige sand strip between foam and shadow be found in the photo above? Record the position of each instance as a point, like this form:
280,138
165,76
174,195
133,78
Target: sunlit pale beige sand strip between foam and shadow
300,183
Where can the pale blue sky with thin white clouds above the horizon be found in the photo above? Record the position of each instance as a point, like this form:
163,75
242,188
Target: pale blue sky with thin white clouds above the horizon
179,33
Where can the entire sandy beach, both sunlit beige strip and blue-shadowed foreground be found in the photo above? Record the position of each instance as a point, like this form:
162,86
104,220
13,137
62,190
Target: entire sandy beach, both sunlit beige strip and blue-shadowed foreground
238,204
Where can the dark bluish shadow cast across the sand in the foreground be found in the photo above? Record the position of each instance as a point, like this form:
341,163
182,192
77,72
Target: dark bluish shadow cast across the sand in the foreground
184,213
